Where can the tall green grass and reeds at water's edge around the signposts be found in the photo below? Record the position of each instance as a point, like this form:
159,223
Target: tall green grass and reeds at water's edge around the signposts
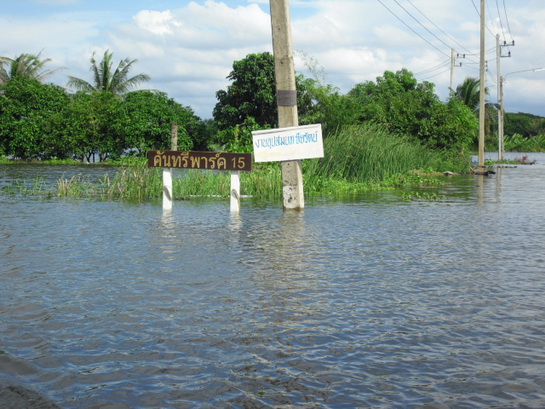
357,159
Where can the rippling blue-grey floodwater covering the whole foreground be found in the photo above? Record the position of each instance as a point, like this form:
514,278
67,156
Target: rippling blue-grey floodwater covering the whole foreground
371,303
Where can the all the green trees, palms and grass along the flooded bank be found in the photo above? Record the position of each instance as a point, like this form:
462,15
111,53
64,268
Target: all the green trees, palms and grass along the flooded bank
382,133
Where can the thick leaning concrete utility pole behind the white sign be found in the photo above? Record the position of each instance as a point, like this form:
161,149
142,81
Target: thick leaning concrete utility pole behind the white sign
286,95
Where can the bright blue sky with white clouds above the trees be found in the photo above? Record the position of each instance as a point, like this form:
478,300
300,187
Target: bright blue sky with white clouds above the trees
188,47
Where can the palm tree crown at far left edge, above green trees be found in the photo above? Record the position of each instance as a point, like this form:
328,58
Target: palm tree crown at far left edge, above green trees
26,65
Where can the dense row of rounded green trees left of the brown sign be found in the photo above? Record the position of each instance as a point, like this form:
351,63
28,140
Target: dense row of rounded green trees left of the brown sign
42,121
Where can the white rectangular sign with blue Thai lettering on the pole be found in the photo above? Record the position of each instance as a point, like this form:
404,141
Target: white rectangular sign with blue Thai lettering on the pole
294,143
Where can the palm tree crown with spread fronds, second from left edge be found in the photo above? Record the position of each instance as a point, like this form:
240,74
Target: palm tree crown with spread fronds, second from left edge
106,79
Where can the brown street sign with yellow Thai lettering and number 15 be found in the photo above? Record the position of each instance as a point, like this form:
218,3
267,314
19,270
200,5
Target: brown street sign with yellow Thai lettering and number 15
200,160
